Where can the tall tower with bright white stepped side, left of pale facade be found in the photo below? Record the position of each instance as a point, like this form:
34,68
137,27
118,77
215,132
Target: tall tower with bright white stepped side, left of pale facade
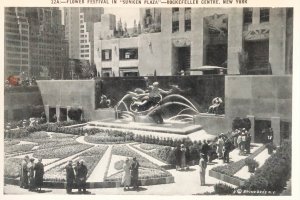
80,31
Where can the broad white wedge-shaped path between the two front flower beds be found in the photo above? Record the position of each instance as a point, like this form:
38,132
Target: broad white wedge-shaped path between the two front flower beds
98,174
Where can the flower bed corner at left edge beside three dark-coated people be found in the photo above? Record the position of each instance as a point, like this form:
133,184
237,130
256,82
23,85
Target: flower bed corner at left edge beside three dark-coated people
12,167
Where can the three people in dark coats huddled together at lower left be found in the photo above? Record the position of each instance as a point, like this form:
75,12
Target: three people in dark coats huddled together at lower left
31,174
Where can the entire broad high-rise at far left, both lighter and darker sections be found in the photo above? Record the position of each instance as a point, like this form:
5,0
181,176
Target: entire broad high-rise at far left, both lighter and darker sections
34,42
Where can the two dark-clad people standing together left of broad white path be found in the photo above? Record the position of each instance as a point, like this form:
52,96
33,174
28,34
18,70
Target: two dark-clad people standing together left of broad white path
76,175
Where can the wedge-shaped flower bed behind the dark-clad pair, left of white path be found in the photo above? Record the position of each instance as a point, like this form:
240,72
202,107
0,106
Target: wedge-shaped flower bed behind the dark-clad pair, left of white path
91,158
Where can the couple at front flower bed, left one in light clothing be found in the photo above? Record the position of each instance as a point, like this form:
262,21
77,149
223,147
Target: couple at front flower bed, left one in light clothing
130,174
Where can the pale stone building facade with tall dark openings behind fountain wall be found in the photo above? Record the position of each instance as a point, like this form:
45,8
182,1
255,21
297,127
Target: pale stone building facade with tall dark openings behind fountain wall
240,40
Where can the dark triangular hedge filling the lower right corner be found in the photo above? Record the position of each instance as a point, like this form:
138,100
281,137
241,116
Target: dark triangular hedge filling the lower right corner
274,174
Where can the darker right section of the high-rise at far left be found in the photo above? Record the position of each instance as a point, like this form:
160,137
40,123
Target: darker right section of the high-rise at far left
48,47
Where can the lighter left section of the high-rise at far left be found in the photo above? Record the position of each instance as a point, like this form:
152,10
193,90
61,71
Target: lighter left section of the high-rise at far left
16,42
